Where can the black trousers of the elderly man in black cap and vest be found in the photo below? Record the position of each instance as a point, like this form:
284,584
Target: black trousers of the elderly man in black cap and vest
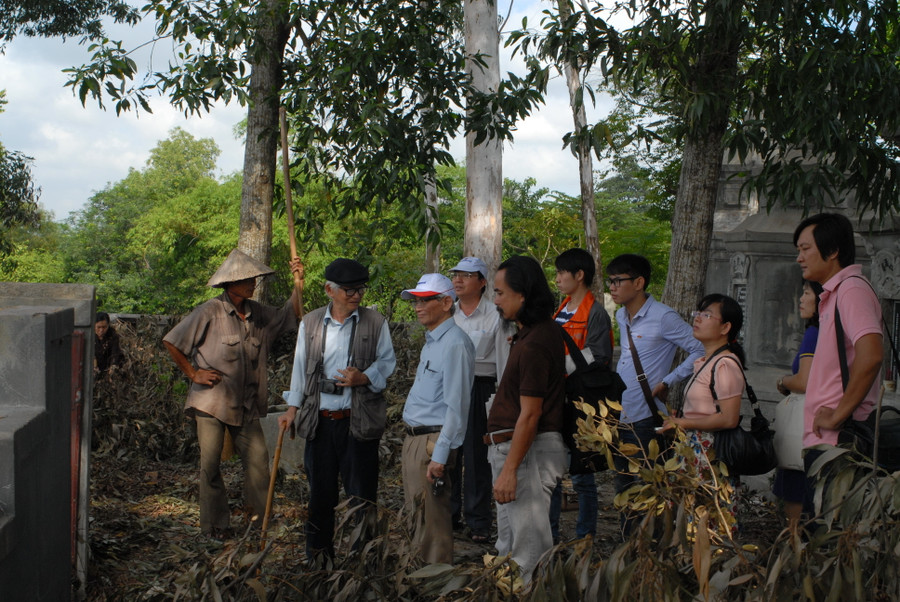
333,452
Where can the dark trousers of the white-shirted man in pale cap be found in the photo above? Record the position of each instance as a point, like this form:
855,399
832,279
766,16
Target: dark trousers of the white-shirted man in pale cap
470,493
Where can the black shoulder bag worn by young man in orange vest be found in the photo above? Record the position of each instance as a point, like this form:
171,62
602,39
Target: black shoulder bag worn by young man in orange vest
591,383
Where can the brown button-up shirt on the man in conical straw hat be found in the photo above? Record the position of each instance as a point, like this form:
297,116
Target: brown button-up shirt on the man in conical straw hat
214,337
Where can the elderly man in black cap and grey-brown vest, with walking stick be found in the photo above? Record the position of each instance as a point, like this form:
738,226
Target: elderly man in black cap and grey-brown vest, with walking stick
343,359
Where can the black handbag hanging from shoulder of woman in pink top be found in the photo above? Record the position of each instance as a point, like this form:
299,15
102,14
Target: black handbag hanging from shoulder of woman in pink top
744,452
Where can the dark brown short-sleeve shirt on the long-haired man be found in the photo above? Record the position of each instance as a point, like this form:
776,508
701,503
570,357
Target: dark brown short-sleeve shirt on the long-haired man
536,368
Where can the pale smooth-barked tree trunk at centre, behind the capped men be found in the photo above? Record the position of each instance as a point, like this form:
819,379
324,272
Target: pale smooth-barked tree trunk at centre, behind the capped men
484,162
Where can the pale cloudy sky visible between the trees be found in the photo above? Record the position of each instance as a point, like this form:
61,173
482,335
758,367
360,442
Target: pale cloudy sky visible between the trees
79,150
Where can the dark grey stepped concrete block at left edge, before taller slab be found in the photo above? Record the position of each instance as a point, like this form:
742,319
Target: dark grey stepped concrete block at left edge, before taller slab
35,472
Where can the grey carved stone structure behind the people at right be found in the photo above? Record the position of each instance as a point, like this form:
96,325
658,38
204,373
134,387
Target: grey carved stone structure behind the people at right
753,259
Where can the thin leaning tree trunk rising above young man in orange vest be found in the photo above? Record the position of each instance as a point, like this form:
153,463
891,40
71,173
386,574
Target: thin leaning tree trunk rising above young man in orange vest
585,165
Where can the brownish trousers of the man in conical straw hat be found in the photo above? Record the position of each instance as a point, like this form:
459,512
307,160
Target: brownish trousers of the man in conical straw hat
250,444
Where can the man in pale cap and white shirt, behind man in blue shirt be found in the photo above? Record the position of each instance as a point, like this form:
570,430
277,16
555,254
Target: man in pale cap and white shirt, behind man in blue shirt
477,316
